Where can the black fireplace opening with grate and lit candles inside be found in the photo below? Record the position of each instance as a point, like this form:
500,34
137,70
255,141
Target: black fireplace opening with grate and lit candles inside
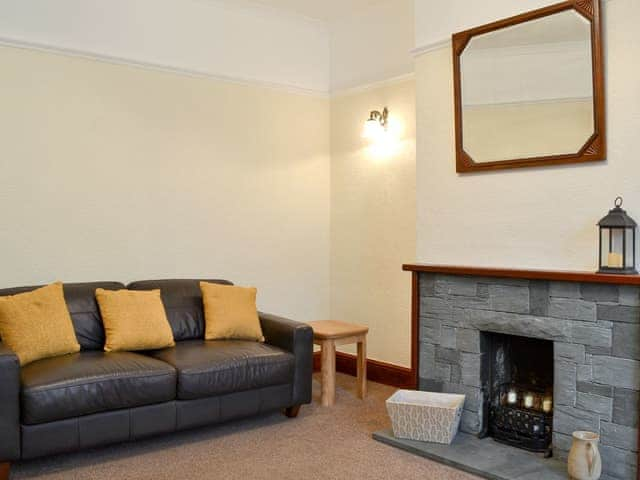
518,375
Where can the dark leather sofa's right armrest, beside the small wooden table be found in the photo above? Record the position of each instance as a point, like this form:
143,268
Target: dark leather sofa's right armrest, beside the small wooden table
297,338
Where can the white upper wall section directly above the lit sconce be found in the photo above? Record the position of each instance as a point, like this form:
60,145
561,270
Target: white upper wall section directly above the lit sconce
372,45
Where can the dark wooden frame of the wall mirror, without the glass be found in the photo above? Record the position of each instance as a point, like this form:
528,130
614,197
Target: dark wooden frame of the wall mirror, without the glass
595,147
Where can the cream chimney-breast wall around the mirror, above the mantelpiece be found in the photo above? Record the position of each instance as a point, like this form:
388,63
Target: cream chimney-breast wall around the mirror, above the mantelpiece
537,218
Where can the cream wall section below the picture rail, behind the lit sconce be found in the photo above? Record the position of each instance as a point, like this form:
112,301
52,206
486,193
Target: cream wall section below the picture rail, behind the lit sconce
373,219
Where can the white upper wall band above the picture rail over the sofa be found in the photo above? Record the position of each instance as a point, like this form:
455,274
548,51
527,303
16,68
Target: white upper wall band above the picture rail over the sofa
211,37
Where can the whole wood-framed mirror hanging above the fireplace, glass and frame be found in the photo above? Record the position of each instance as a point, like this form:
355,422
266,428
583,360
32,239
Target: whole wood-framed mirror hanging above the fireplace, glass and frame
529,90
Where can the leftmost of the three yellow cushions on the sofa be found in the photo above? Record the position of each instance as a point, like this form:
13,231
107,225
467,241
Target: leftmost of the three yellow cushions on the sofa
37,324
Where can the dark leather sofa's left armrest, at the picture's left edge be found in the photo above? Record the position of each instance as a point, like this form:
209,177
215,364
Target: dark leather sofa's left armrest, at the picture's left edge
9,405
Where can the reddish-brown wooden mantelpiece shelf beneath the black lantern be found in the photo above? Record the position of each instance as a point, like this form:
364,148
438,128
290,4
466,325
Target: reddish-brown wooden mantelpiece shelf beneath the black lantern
557,275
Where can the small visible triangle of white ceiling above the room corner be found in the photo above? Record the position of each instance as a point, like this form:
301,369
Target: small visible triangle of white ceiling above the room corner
324,10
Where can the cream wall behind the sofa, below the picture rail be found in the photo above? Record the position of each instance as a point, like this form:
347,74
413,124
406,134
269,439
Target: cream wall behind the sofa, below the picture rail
112,172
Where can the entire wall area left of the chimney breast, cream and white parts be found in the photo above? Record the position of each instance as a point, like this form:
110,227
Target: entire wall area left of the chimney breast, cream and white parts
251,200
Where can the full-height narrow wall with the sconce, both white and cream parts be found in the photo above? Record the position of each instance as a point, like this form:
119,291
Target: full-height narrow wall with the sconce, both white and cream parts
373,192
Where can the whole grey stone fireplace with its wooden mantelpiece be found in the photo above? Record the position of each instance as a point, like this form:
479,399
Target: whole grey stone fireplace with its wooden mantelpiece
568,338
